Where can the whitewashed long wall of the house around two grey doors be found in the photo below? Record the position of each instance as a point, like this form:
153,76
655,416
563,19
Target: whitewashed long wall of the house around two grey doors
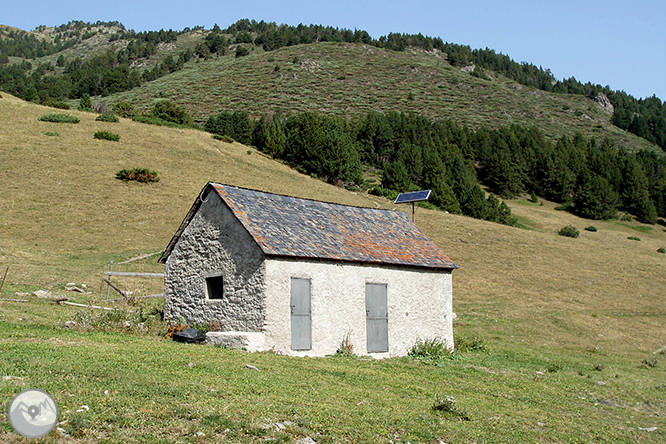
419,303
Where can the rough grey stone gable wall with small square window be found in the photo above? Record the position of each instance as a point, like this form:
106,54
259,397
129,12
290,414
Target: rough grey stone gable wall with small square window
215,244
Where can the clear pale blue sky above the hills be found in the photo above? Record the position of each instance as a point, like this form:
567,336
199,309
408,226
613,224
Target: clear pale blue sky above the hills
619,43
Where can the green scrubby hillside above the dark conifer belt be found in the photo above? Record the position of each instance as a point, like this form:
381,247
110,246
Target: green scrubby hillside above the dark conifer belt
348,79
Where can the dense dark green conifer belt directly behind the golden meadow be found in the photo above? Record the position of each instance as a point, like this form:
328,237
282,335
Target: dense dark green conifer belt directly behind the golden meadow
595,179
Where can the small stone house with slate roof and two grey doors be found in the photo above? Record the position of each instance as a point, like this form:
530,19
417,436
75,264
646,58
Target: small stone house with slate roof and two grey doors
299,276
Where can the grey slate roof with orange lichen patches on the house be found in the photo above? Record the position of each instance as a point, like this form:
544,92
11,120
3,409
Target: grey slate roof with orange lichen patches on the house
304,228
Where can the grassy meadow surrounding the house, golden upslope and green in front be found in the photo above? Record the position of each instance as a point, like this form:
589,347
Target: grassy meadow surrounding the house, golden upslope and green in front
566,326
